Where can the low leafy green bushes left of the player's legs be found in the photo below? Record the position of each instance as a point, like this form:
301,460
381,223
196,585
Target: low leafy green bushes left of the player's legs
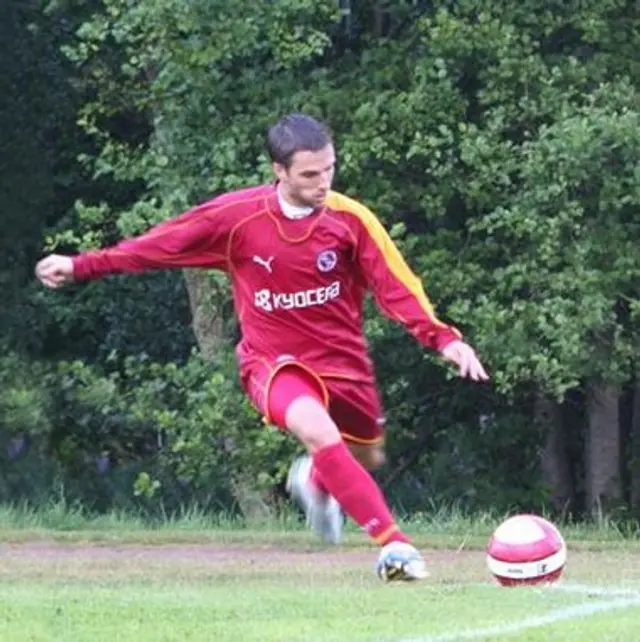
162,433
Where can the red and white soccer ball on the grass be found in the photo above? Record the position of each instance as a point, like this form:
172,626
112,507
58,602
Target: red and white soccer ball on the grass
526,550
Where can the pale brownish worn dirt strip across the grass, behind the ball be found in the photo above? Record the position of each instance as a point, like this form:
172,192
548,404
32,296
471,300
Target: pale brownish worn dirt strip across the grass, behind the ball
269,562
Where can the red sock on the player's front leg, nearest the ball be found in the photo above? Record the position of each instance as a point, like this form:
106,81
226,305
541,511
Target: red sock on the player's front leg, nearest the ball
357,493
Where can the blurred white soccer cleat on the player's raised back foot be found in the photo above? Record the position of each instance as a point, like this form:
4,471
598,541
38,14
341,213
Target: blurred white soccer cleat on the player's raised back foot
322,510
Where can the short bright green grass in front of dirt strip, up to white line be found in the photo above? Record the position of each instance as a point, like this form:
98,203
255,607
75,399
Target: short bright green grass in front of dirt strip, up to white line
230,611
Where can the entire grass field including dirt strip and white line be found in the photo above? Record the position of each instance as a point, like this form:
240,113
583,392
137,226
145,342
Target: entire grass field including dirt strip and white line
113,579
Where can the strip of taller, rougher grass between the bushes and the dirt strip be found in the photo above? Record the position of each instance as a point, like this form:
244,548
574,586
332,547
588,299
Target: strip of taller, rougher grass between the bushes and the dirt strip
439,529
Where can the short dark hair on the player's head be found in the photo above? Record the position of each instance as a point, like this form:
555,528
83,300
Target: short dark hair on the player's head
296,133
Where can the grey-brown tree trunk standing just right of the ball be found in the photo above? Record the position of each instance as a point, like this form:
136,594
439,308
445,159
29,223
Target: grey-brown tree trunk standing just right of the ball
602,450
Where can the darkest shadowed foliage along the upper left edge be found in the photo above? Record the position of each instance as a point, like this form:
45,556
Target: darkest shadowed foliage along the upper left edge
35,109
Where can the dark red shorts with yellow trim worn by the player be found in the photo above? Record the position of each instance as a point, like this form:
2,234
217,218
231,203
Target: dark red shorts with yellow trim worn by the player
354,406
